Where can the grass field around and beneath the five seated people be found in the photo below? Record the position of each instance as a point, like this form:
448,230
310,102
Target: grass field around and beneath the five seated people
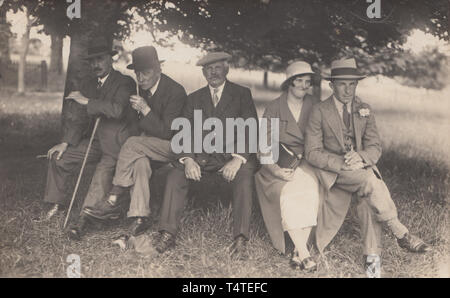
414,125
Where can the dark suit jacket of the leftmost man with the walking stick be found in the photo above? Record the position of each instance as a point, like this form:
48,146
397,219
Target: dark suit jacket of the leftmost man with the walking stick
112,104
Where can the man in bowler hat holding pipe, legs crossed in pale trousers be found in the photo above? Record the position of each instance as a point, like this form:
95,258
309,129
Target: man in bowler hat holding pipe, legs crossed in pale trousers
159,102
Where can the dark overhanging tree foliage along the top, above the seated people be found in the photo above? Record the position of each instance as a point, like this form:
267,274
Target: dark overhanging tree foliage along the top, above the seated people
269,33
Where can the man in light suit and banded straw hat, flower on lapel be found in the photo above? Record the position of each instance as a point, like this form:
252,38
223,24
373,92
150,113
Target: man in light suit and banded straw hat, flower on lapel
342,141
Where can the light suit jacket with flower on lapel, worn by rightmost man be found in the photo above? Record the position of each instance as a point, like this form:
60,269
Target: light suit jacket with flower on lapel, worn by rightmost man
325,142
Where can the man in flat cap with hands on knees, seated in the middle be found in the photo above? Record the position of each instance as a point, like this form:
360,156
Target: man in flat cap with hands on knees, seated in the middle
219,100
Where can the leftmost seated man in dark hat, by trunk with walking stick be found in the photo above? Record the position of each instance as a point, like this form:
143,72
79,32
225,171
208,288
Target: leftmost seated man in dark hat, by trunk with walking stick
106,95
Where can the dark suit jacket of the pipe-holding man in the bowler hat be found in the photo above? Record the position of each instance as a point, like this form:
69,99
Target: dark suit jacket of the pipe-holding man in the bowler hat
166,104
